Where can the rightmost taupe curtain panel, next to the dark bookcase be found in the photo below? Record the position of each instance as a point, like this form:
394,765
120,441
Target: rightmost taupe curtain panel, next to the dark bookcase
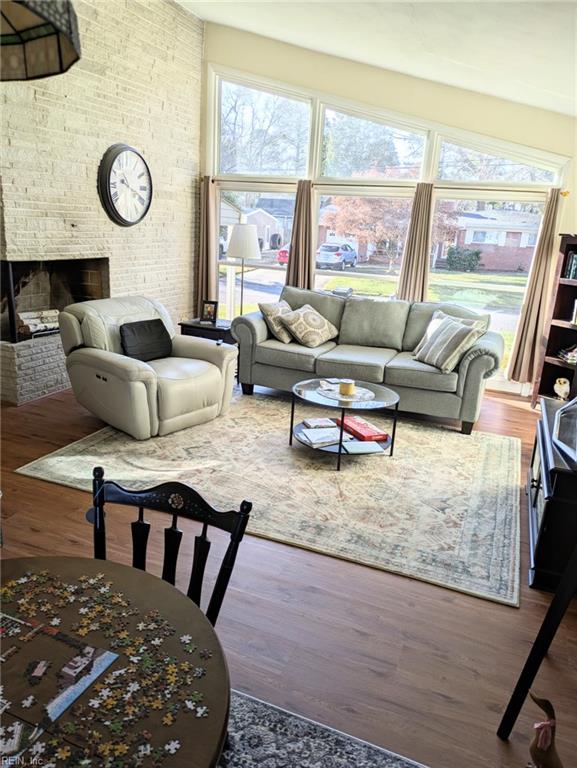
526,352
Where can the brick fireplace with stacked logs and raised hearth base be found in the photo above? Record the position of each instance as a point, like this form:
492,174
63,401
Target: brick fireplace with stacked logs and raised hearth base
32,361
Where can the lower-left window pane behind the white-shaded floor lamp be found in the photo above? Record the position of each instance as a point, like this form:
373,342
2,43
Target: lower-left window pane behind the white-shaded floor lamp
272,214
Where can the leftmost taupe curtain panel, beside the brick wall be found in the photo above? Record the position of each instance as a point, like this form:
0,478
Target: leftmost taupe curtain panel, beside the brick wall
206,283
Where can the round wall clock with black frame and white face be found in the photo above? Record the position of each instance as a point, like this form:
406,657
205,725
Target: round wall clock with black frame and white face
124,185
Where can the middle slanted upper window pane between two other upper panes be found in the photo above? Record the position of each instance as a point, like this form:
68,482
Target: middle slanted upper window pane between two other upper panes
357,148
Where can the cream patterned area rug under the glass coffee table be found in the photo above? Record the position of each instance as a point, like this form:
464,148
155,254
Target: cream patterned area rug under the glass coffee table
444,509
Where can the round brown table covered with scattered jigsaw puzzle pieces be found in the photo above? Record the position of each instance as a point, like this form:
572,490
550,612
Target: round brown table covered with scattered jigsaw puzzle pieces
106,664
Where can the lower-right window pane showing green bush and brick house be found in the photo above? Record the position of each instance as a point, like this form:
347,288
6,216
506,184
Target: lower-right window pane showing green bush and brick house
484,269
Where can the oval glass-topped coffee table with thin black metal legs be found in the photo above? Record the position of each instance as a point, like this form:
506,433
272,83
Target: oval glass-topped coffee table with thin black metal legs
367,397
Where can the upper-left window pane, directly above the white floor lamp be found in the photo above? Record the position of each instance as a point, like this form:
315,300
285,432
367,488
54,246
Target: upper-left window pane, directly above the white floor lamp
262,133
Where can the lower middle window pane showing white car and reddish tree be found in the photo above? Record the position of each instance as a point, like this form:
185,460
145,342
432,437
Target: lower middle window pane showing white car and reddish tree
360,243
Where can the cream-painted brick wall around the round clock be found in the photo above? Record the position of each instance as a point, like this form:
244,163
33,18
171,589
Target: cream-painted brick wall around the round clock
138,82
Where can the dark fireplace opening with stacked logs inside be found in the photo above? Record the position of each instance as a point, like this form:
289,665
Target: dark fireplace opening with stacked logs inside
34,292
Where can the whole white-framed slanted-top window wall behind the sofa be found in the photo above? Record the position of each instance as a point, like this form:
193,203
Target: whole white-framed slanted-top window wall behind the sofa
364,164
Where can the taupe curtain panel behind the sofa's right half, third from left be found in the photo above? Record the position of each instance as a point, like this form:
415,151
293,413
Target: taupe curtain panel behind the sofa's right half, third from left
414,275
